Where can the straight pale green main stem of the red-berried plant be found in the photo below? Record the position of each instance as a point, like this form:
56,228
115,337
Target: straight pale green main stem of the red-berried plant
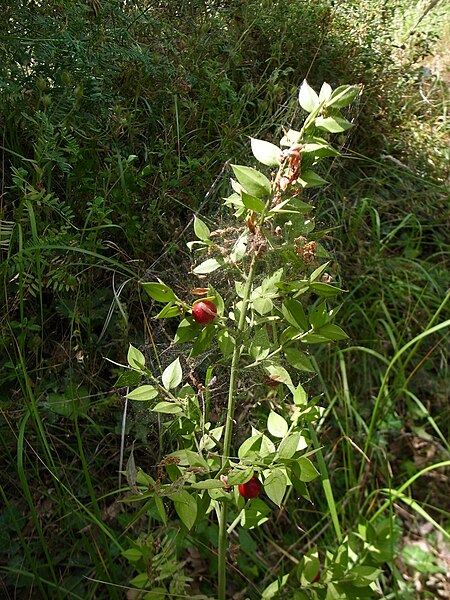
229,428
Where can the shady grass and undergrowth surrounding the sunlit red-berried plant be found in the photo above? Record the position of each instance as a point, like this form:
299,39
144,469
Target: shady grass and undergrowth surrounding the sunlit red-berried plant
117,121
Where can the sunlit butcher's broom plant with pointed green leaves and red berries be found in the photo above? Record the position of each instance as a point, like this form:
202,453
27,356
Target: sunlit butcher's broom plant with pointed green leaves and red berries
263,292
